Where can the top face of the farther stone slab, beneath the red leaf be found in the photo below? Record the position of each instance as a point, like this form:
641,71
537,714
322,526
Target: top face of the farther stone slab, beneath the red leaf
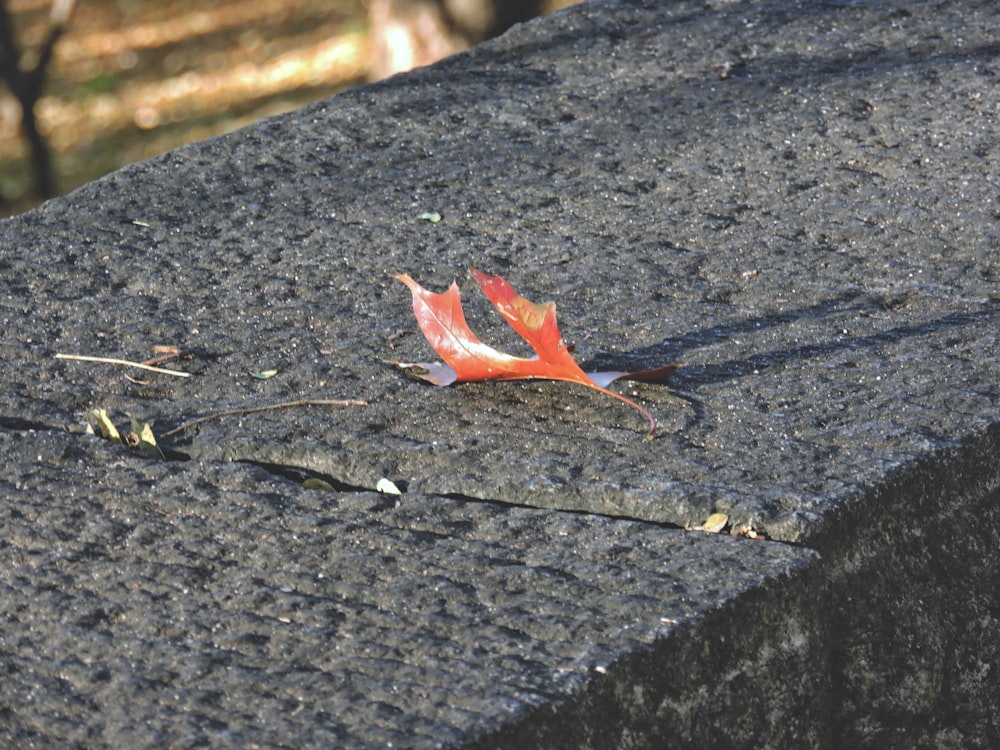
812,235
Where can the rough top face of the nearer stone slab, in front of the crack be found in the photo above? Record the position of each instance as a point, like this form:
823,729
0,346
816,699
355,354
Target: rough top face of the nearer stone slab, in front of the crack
152,604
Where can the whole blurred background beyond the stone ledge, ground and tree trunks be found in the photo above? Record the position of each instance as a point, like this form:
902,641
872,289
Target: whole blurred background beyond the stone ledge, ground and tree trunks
108,82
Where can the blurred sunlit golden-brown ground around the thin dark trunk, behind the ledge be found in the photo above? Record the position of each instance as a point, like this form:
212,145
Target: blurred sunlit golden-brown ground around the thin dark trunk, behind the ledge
133,78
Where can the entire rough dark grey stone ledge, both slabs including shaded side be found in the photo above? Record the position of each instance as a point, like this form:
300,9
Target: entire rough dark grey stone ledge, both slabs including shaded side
796,200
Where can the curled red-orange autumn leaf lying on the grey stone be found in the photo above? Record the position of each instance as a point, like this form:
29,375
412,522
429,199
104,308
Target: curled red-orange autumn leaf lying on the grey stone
466,358
